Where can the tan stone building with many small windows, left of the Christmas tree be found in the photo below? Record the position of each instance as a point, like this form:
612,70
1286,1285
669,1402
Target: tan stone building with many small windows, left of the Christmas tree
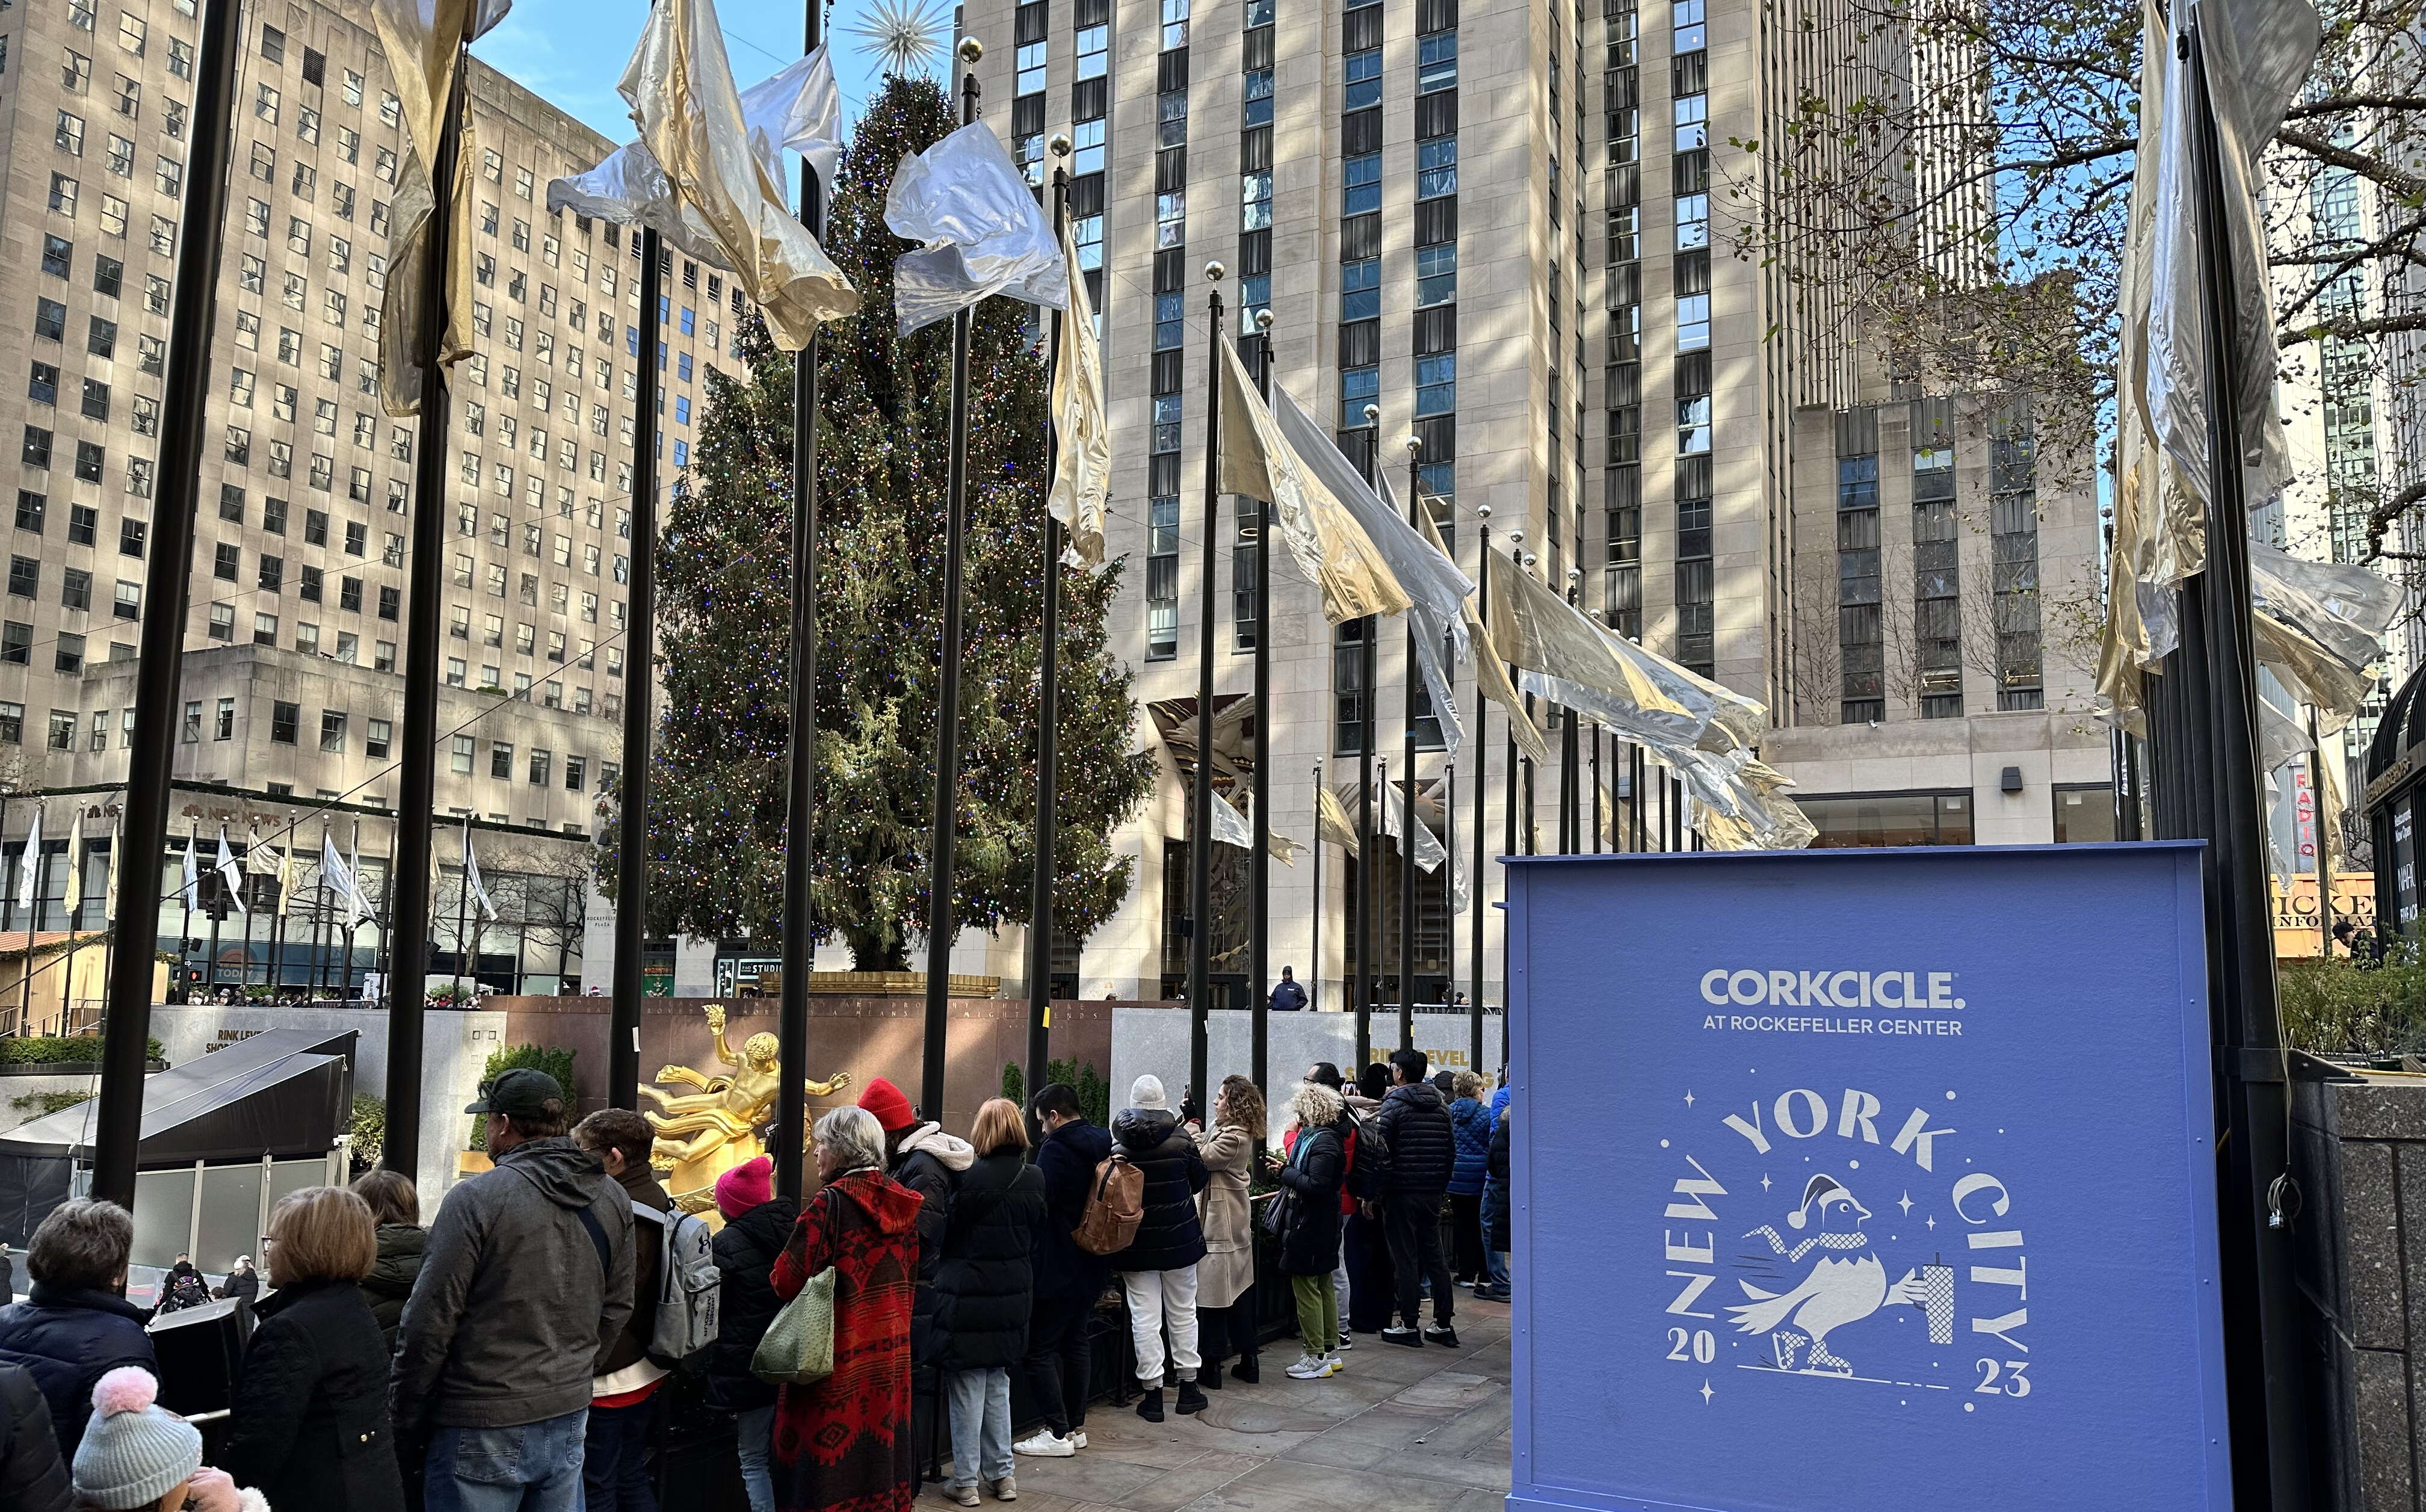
292,686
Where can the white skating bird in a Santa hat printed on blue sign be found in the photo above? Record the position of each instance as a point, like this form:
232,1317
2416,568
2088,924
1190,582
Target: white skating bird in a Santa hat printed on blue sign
1843,1288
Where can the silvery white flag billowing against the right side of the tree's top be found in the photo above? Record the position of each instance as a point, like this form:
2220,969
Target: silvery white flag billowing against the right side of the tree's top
981,229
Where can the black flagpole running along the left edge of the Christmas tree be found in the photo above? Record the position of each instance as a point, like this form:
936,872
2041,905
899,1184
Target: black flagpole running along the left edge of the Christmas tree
639,705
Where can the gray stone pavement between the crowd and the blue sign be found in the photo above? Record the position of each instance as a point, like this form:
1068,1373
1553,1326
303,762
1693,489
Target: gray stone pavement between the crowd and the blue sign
1433,1421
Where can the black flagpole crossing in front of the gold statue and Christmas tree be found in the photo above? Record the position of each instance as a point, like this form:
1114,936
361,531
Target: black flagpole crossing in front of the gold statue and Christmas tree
802,778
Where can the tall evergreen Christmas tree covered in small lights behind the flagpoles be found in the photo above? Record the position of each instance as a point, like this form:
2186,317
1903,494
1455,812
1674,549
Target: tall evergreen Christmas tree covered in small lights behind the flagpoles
724,615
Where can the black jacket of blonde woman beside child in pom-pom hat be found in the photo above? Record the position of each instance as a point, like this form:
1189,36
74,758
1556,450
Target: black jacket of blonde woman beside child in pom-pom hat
309,1421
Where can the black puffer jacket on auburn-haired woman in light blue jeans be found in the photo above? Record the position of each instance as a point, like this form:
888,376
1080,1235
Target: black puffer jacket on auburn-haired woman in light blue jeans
984,1285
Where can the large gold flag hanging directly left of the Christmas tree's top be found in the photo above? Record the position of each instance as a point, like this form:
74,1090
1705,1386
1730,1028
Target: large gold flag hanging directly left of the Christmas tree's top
690,110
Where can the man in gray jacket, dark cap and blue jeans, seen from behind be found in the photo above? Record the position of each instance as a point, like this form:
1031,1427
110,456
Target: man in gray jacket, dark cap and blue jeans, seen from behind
525,1288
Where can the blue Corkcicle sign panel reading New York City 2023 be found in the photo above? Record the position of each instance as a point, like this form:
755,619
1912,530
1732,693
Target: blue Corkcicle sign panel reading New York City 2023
1857,1181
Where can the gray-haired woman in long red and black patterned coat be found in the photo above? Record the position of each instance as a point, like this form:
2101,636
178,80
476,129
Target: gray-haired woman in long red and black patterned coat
843,1445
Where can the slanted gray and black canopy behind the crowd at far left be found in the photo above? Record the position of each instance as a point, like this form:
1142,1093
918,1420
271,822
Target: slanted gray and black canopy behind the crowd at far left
283,1093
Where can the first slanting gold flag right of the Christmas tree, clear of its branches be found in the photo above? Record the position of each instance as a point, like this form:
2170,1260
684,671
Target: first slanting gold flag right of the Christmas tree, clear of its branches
1319,530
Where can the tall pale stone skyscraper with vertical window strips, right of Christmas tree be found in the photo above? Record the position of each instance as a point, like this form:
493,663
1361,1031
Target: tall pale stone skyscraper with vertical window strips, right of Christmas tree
1510,229
